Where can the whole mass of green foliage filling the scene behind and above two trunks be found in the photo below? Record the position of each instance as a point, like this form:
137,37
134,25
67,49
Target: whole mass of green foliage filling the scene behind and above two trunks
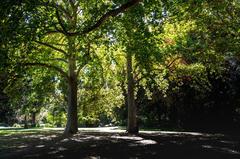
181,53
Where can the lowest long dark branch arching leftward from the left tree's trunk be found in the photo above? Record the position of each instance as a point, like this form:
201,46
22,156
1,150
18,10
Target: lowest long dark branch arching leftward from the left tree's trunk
63,73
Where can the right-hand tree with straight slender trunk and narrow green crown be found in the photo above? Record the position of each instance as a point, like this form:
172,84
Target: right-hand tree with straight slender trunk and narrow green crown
135,34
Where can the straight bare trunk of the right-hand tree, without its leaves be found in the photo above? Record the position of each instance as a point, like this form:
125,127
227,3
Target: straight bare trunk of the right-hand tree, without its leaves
132,127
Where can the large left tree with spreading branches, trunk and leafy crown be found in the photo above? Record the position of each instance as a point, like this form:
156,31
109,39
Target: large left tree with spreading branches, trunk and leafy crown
57,34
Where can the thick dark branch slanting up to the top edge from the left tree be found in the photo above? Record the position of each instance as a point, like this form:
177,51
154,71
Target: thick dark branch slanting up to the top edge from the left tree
106,16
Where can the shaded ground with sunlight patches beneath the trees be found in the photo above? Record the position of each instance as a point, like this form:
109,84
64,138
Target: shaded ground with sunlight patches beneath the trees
48,143
